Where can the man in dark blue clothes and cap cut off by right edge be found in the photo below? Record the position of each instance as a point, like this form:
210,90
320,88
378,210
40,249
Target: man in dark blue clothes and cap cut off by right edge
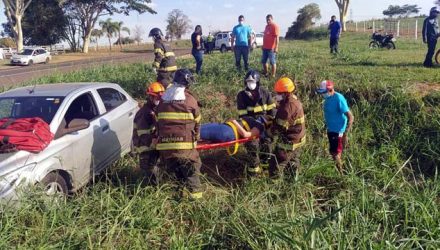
430,33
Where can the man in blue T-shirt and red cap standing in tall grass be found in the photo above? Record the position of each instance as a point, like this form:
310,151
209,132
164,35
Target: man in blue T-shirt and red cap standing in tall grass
338,120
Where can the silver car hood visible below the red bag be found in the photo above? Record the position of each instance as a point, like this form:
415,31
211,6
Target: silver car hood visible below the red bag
12,161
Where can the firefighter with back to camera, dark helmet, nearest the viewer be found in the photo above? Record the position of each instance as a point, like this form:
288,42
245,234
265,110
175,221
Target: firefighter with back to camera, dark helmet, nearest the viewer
178,131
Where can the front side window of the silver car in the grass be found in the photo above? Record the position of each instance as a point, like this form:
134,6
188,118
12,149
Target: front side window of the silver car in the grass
83,107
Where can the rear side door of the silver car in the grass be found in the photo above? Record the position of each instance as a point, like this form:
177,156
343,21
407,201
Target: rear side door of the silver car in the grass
117,121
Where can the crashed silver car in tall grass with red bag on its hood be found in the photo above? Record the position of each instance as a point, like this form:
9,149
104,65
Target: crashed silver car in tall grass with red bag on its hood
92,124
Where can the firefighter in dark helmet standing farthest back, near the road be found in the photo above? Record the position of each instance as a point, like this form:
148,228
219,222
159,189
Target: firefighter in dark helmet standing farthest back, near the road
164,61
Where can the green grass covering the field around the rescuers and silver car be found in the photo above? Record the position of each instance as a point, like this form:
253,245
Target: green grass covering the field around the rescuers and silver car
388,199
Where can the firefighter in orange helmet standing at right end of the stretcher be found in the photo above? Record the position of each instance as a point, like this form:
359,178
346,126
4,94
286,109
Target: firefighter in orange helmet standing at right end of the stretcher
288,129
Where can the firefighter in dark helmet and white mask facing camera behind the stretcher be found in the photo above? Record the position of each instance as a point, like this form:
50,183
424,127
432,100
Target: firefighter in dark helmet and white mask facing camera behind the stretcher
257,102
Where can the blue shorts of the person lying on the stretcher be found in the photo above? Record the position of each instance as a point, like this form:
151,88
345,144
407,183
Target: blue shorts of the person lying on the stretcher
216,132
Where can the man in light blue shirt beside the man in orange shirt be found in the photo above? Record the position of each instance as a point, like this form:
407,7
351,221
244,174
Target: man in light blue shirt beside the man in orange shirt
240,41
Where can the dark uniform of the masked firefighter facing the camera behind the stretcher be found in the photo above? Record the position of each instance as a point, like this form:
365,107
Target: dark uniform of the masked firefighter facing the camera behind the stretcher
255,104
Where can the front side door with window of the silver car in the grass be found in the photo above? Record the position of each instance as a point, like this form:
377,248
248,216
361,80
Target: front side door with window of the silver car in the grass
84,143
